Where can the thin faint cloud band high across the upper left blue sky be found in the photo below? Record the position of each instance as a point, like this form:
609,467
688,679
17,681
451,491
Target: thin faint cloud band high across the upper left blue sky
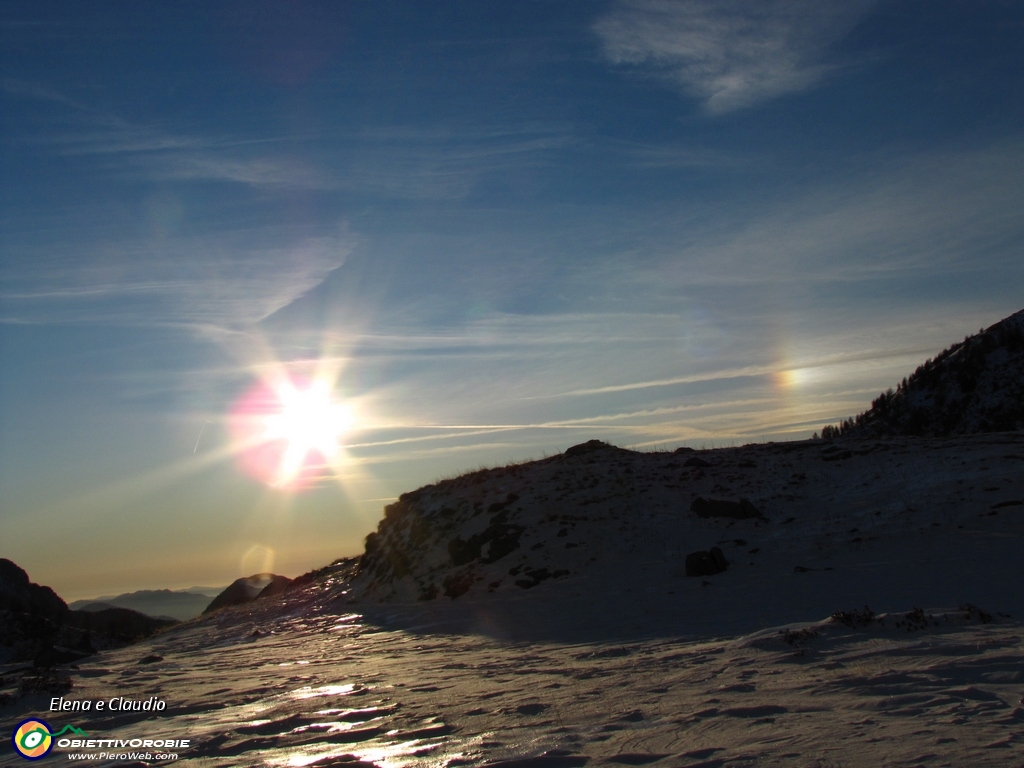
389,162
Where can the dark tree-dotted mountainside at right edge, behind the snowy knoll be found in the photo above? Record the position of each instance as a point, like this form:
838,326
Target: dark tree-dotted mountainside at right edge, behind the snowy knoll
974,387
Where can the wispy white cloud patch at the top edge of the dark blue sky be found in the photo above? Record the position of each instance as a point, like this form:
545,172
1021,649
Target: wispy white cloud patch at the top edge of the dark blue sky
731,54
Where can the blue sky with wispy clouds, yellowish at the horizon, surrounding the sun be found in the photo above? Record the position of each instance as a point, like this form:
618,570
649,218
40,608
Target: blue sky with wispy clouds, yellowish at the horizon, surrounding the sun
503,228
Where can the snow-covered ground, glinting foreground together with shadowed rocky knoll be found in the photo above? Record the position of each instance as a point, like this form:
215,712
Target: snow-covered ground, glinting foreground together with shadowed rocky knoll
540,616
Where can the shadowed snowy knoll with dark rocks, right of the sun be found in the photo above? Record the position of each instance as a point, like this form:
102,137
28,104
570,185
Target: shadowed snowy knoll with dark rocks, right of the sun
604,519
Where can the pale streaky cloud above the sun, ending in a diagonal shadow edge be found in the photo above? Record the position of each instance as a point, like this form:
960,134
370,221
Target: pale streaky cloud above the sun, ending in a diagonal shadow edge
232,281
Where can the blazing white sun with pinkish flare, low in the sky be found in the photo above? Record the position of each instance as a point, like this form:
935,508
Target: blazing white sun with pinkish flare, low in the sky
290,433
